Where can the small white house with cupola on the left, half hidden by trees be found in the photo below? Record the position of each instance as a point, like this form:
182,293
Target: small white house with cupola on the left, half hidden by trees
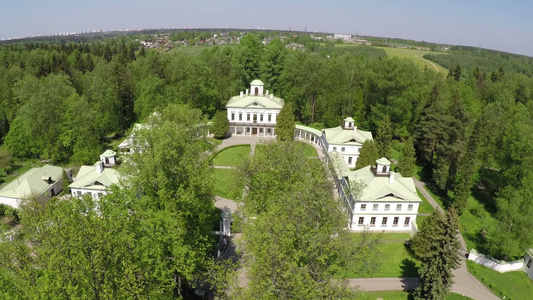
94,180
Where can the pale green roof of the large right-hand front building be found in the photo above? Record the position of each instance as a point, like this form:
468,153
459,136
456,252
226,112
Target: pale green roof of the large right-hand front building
380,189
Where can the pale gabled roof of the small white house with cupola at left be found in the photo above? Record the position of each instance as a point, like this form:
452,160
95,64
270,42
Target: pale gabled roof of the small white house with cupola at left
89,178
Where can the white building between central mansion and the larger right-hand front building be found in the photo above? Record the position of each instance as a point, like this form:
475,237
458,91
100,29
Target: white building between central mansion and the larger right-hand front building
346,140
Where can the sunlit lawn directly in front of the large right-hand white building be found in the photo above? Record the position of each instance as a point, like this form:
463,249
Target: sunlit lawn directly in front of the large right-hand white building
395,260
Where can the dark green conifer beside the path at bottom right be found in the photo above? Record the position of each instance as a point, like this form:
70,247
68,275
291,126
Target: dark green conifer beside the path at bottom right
437,247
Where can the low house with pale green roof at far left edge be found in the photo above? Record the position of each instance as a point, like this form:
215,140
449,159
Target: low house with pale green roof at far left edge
38,183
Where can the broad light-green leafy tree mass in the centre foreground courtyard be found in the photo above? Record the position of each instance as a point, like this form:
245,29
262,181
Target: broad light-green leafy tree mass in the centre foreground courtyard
294,257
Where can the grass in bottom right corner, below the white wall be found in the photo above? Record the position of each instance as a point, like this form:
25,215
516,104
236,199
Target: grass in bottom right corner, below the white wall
512,285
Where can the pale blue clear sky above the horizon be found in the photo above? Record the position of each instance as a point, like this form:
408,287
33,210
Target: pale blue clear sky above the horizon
499,25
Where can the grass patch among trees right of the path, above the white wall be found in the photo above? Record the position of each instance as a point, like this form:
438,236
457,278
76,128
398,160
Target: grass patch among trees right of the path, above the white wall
473,221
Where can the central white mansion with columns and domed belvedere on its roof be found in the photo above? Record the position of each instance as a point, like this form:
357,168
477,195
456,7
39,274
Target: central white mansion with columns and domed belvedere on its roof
254,112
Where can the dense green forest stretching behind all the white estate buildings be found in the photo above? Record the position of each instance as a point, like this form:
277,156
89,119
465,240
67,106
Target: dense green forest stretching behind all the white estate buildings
472,129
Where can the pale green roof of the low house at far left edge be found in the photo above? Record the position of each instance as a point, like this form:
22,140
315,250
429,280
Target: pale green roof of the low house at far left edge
31,183
